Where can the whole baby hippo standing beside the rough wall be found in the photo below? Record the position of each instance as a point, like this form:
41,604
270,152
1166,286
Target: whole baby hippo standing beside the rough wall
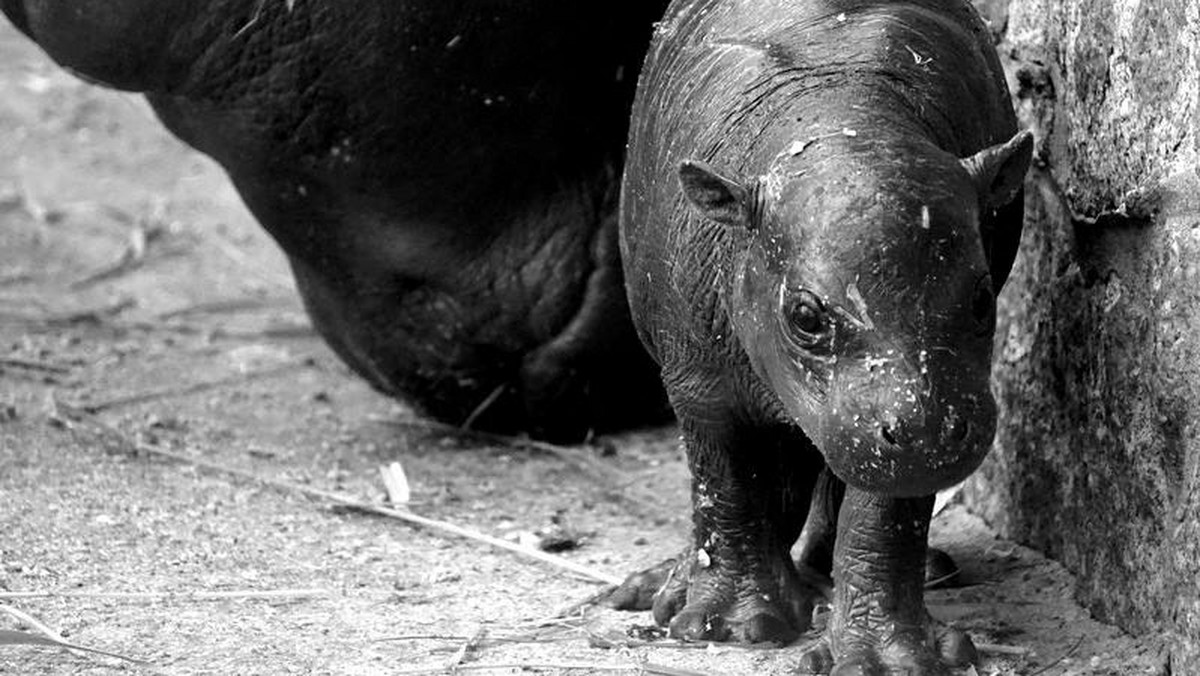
821,200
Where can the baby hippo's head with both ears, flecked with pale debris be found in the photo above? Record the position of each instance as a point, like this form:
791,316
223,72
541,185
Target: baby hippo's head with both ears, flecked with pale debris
865,298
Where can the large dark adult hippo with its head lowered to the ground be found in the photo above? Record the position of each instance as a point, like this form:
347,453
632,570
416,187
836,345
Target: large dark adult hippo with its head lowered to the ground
442,175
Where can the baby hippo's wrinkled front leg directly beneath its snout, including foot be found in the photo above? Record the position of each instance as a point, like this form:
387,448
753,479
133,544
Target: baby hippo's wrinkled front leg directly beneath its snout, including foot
879,625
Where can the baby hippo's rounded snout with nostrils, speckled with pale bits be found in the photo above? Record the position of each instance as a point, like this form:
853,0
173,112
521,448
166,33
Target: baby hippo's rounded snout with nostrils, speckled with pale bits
903,438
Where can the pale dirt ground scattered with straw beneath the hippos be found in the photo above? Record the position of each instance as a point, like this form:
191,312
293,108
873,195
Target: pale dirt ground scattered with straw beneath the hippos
141,308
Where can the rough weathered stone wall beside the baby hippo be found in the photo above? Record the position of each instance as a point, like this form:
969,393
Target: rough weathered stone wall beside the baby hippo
1097,458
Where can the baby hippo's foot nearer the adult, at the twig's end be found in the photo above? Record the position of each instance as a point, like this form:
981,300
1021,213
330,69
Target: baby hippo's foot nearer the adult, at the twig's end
724,596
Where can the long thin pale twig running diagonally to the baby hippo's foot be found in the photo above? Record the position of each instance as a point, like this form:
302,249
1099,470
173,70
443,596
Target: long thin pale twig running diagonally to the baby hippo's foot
87,420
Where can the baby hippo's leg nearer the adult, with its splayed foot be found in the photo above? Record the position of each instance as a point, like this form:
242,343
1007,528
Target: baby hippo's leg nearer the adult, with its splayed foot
737,582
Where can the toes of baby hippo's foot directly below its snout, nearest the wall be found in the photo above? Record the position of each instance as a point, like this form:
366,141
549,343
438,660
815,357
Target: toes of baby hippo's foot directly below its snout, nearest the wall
901,655
